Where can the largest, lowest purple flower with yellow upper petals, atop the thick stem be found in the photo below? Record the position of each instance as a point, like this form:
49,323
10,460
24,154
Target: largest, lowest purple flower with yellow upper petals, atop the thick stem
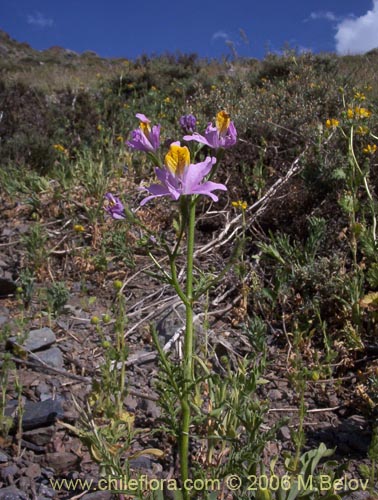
180,177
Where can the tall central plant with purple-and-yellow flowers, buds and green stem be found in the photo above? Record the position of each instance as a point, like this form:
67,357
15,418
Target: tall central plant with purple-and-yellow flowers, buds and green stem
181,179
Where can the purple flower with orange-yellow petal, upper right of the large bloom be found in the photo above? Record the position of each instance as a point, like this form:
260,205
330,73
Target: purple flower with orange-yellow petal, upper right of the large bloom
222,135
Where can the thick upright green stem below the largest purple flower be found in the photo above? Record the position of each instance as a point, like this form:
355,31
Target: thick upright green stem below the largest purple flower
188,349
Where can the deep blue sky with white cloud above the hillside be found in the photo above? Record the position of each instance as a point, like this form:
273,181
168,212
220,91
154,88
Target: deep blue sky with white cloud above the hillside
125,28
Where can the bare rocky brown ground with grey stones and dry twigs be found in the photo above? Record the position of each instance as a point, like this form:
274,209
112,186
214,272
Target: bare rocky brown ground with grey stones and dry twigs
62,356
